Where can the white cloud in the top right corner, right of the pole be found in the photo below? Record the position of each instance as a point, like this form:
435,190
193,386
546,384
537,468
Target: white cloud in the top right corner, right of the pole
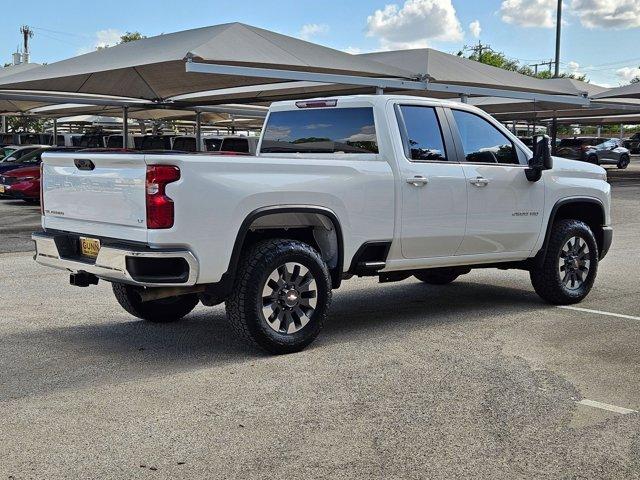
607,13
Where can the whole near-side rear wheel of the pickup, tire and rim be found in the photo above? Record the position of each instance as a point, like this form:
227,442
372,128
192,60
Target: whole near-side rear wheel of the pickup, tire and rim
280,296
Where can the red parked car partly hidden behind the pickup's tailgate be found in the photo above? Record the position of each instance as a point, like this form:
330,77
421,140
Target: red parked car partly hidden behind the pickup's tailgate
24,182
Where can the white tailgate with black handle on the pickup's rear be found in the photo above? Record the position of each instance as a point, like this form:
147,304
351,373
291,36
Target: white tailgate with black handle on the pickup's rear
95,193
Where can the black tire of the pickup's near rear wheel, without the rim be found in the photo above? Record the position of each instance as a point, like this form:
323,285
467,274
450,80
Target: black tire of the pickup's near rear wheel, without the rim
244,304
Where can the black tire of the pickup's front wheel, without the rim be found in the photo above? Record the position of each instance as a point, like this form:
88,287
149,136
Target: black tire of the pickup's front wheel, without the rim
545,276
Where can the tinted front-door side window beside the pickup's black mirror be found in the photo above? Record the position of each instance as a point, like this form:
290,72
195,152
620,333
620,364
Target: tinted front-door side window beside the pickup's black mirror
482,142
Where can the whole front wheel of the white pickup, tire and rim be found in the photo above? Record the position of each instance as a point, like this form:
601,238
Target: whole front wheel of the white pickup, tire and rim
569,268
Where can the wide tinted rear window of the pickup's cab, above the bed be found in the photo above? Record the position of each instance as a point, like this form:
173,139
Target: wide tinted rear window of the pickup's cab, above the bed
321,130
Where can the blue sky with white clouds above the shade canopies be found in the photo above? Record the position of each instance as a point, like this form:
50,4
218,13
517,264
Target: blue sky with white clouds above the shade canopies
599,37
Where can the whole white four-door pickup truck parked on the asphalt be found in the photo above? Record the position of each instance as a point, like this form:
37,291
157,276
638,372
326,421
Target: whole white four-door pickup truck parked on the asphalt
388,186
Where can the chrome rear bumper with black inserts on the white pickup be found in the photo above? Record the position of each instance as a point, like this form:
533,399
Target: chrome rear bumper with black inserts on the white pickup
126,264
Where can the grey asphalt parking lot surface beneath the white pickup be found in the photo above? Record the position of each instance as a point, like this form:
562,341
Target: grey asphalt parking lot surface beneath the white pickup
478,379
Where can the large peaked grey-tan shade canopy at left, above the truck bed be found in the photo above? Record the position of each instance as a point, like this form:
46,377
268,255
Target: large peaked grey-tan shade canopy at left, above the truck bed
154,68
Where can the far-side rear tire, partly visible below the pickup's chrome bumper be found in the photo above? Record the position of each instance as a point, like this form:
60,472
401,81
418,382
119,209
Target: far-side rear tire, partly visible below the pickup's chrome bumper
164,310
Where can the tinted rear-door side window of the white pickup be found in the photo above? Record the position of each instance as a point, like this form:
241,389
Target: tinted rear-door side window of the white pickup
424,136
